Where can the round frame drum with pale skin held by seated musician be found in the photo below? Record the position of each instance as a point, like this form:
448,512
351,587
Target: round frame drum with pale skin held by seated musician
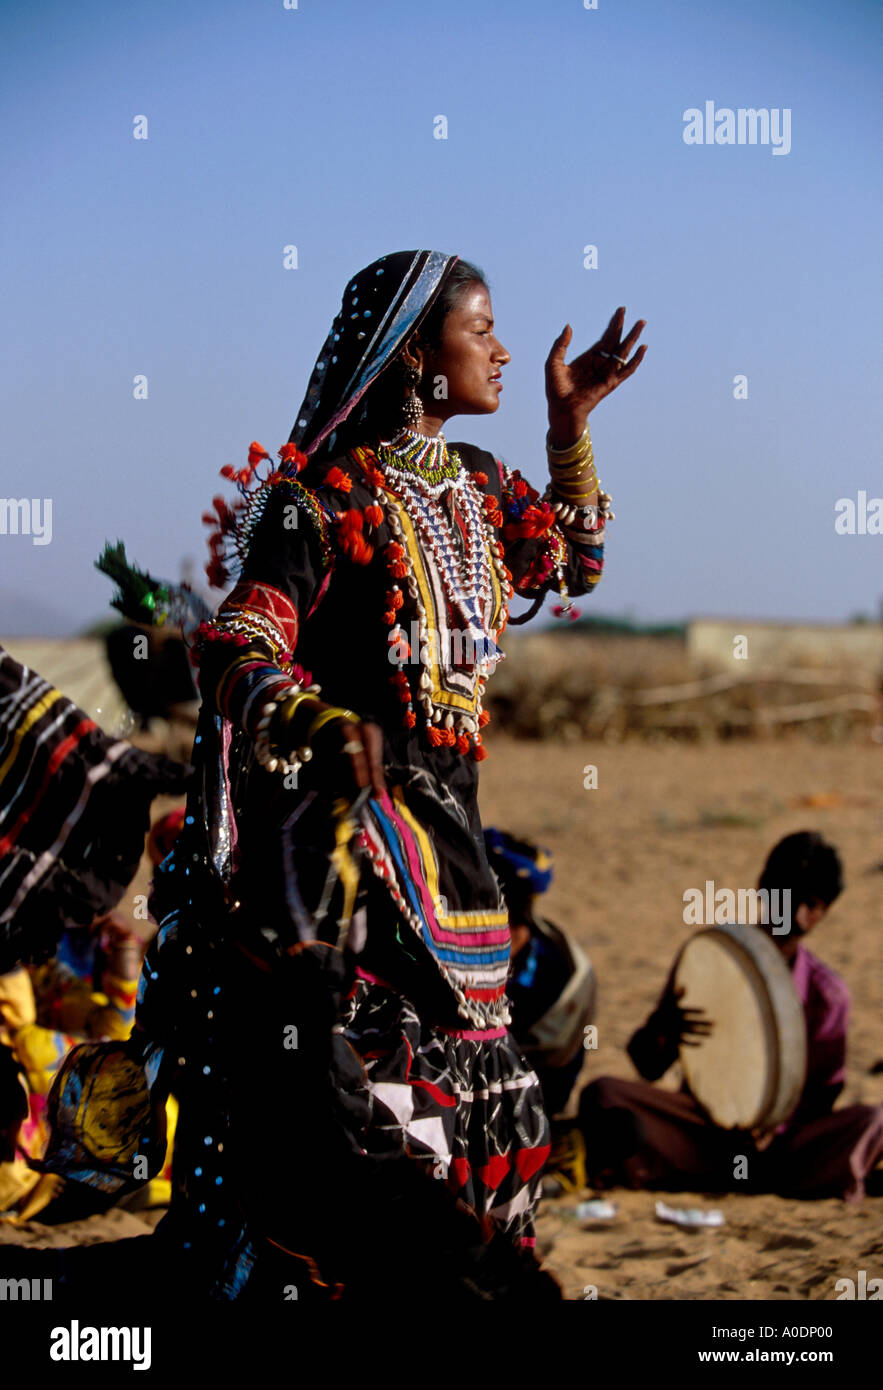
750,1074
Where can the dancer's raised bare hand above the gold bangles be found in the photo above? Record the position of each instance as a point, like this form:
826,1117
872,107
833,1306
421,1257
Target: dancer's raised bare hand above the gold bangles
575,389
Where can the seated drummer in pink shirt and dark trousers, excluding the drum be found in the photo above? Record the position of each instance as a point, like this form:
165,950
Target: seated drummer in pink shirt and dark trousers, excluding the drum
642,1136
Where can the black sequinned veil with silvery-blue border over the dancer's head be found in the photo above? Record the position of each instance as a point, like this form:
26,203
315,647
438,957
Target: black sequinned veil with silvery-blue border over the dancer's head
380,309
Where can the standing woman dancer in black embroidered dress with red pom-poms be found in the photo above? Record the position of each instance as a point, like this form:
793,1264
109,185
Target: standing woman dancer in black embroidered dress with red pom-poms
326,992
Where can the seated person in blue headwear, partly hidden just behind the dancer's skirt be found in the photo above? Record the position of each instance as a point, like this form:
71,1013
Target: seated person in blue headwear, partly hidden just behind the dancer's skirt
551,982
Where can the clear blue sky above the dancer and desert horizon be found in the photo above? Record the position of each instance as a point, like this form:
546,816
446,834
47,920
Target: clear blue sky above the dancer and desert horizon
314,127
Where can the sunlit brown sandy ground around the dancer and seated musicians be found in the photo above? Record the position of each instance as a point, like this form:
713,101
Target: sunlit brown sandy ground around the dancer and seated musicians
663,819
